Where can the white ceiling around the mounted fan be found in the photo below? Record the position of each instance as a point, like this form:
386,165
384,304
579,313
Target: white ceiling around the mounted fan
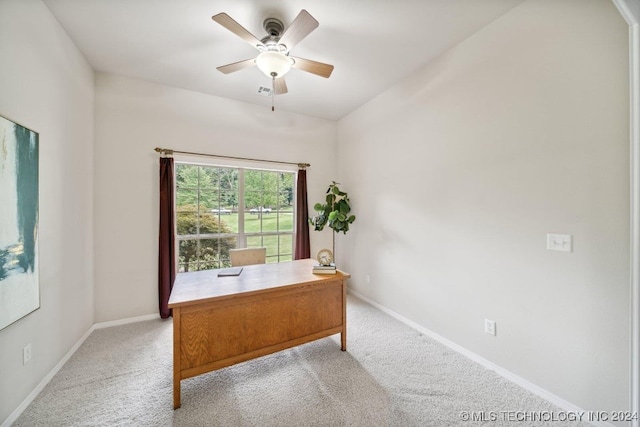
371,43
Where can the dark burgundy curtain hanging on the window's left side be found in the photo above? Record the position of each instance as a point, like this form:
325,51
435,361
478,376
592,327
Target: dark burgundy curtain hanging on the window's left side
166,247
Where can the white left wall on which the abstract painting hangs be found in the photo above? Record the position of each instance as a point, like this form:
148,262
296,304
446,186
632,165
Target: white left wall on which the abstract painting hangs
46,85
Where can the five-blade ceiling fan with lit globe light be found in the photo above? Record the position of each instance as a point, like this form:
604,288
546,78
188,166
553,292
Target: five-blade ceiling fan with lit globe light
274,59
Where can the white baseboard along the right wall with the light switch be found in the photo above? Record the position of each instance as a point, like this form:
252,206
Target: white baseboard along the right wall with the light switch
527,385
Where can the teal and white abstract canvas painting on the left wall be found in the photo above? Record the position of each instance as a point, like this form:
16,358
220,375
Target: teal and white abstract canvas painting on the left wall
19,281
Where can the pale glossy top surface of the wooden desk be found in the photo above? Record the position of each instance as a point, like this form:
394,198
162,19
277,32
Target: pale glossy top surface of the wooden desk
195,287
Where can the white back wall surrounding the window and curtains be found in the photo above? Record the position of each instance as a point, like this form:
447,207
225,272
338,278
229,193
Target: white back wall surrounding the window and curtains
132,118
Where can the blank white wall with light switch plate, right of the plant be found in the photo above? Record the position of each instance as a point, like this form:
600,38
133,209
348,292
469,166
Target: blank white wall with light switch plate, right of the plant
459,172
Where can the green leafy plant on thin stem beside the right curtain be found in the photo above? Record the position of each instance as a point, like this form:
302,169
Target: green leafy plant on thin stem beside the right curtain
334,212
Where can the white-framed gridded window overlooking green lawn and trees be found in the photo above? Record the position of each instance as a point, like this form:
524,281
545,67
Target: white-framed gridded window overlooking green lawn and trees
221,208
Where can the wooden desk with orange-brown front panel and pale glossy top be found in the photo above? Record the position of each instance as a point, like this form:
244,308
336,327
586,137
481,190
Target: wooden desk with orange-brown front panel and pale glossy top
221,321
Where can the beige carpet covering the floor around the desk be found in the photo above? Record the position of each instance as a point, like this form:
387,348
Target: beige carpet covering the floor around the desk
391,375
